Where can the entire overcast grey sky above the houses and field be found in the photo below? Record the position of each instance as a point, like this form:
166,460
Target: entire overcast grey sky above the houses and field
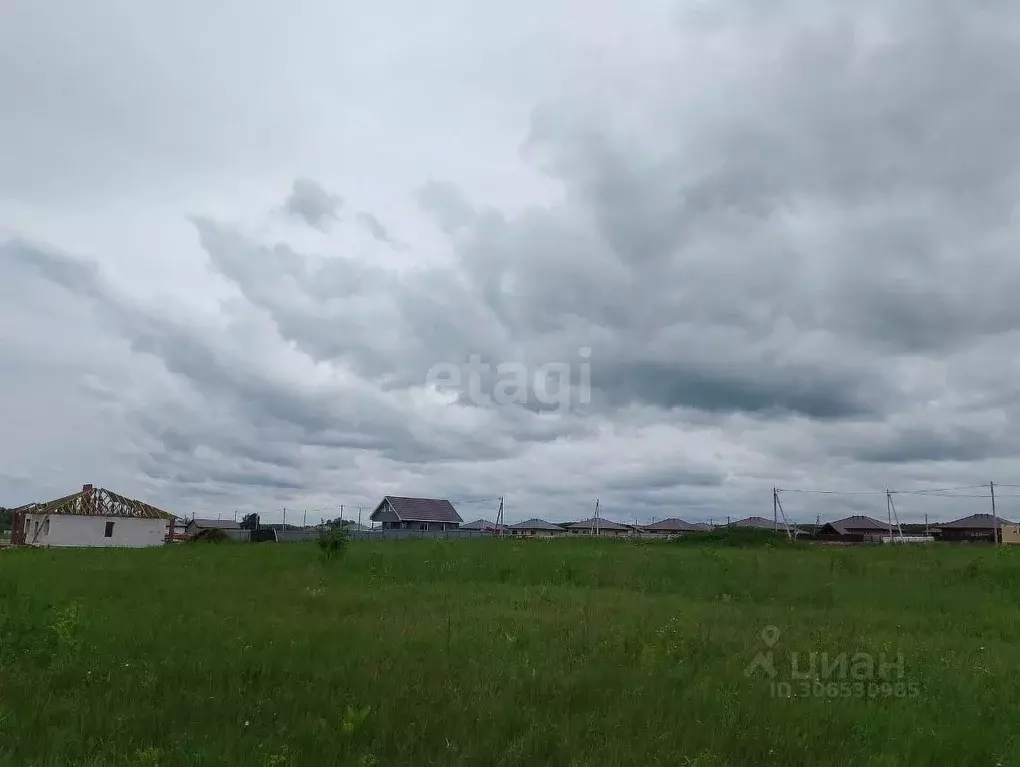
236,238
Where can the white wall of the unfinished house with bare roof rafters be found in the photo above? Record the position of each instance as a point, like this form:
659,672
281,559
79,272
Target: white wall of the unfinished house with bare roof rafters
74,530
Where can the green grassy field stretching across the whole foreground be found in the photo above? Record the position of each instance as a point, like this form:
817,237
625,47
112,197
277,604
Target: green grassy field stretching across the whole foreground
507,653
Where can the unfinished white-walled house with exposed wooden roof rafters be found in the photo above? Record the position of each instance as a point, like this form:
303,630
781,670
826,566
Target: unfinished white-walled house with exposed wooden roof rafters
94,518
